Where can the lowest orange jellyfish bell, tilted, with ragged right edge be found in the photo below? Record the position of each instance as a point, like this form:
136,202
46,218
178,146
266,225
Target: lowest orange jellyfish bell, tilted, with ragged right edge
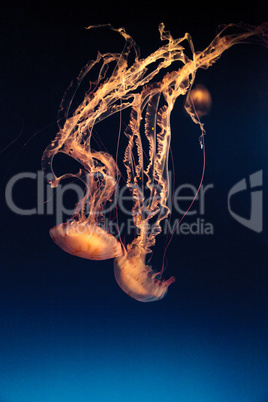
138,279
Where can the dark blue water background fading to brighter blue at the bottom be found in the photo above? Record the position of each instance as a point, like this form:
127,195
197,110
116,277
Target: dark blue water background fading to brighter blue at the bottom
67,331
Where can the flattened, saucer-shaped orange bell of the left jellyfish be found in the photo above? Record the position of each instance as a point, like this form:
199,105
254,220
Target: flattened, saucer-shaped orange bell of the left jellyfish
86,241
